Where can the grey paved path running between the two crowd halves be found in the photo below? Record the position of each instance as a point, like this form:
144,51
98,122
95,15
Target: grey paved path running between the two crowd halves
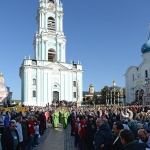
56,139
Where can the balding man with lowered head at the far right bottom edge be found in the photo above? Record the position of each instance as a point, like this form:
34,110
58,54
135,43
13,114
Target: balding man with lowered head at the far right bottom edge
144,137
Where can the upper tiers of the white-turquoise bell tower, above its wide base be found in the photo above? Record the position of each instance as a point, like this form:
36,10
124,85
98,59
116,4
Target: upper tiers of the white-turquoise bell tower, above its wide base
49,41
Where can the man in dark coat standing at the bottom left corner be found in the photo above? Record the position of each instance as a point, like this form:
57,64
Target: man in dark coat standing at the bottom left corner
10,138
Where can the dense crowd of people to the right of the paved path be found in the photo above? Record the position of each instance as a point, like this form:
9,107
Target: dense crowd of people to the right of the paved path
111,128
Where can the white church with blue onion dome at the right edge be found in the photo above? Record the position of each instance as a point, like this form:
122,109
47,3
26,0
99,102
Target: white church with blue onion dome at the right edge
136,76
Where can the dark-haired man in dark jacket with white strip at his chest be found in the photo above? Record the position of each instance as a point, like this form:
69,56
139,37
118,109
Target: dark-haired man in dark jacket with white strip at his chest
115,144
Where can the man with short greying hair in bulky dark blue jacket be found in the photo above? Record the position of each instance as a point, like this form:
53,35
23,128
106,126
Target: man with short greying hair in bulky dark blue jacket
102,135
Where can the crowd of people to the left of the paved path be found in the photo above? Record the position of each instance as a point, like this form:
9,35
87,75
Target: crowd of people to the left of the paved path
22,131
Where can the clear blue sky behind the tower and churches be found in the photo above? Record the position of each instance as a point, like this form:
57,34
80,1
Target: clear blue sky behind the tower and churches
105,35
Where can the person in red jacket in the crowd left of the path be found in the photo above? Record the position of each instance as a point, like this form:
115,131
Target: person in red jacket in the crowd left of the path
31,131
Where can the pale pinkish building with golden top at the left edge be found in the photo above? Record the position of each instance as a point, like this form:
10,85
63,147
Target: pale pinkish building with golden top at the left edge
5,94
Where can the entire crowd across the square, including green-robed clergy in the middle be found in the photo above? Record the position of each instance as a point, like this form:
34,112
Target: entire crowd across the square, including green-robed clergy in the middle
93,128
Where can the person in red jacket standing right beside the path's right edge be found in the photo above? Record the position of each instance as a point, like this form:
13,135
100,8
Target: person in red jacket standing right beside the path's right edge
75,129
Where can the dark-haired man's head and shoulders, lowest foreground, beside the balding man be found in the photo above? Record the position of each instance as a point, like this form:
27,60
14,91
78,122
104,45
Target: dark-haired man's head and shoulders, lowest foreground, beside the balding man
127,139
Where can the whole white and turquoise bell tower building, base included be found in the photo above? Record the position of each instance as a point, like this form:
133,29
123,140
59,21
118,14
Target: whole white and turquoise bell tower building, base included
48,77
